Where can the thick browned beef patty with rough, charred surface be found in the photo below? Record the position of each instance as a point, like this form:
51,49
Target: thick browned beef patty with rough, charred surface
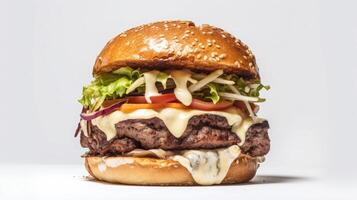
203,132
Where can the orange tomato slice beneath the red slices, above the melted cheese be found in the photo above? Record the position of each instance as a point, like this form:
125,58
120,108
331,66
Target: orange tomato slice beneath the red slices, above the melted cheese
130,107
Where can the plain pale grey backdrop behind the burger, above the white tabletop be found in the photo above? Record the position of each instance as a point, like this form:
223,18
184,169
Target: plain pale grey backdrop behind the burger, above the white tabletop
306,51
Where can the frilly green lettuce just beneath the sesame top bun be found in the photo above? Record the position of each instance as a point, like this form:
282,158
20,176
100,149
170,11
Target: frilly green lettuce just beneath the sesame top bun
114,85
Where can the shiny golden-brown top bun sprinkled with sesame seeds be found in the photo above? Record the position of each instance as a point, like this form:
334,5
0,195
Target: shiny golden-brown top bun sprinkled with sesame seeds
177,44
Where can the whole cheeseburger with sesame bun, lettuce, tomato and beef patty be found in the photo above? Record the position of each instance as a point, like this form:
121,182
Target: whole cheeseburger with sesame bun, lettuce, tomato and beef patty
173,103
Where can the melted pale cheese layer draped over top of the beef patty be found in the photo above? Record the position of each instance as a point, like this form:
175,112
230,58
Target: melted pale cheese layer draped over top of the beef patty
175,119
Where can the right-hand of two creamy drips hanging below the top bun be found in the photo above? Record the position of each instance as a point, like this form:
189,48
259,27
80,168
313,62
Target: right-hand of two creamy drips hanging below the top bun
181,92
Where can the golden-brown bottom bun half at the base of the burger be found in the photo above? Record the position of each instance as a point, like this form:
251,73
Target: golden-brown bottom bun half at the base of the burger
154,171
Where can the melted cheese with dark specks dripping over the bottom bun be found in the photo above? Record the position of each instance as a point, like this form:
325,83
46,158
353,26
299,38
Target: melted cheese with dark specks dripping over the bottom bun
208,167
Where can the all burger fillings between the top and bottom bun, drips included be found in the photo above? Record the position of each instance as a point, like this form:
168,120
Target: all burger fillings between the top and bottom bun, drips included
204,121
